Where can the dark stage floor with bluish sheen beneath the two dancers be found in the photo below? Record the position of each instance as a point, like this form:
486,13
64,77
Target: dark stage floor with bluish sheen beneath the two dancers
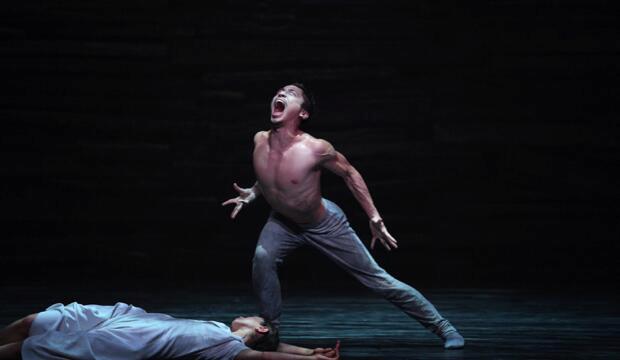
496,324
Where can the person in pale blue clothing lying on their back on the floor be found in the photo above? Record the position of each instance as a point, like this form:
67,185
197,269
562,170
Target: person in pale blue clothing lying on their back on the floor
124,332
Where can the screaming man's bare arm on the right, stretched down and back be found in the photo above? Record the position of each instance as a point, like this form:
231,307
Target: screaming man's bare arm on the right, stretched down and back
337,163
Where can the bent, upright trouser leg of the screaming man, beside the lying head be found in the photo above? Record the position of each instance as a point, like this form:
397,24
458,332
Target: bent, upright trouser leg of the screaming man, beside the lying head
276,240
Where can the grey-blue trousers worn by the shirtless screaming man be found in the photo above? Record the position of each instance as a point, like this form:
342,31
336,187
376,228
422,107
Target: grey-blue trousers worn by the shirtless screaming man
334,237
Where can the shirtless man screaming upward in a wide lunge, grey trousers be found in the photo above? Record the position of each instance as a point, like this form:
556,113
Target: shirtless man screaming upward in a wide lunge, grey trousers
288,164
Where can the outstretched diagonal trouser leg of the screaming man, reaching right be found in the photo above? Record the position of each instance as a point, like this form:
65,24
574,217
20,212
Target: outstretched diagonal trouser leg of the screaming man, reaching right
337,240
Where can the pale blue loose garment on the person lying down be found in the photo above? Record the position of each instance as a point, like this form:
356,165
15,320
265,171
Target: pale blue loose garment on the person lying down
125,332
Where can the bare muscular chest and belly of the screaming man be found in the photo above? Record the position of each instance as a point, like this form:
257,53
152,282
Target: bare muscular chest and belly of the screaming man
289,178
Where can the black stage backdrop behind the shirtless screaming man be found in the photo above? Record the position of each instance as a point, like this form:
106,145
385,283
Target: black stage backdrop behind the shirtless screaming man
487,132
